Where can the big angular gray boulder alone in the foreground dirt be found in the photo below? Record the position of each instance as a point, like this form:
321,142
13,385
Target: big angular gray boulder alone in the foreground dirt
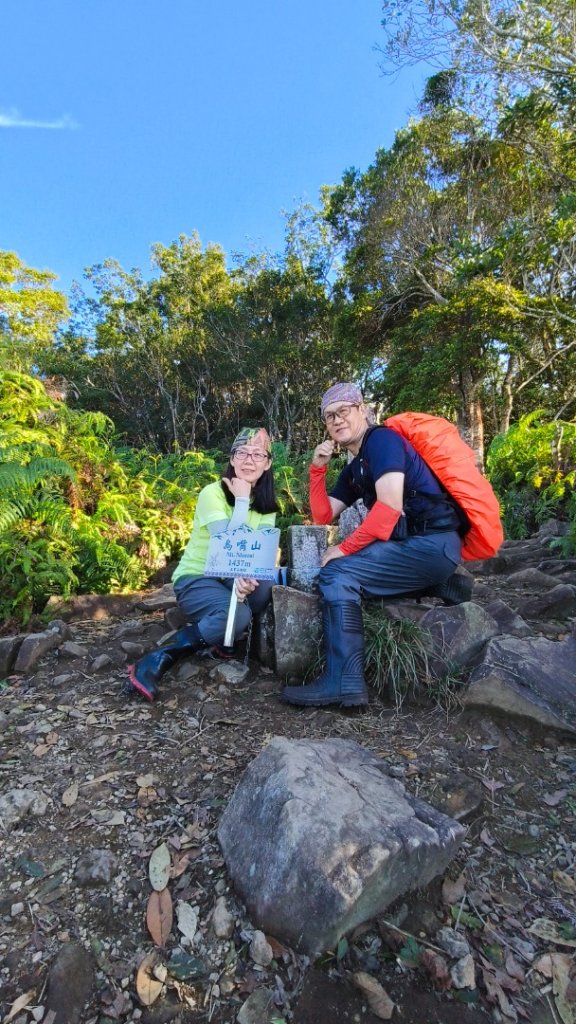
318,839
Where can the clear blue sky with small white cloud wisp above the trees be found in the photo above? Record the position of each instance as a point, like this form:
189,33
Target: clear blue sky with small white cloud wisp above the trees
129,122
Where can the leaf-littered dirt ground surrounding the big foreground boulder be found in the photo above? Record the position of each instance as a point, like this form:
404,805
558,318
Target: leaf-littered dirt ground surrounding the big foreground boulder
125,777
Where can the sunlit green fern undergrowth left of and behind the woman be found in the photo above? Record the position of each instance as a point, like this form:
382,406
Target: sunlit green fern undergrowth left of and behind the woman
80,513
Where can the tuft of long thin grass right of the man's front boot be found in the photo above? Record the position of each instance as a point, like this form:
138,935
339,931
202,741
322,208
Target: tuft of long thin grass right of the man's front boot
400,665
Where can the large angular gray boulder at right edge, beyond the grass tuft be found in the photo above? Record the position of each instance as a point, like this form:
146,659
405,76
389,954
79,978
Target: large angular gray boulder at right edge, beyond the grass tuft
532,677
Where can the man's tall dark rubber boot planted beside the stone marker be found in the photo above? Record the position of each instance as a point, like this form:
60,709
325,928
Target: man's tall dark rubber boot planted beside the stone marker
343,680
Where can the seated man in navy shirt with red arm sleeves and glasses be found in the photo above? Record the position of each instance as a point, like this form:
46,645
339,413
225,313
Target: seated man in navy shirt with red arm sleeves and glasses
408,543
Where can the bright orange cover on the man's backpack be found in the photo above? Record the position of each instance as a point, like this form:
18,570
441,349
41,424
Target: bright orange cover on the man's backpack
452,461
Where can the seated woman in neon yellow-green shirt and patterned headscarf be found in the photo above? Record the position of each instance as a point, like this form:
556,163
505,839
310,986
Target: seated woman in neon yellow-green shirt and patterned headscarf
243,497
